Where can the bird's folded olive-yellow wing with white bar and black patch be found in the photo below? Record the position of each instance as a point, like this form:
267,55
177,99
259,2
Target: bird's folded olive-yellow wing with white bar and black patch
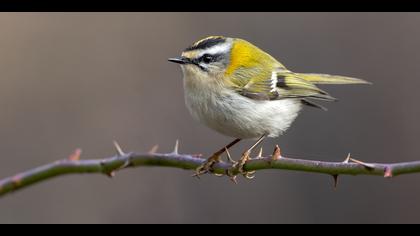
281,84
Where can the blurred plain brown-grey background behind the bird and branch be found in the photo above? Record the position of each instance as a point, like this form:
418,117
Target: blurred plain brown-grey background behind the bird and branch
71,80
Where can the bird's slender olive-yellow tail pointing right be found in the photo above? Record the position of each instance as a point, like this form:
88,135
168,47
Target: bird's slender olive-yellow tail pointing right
330,79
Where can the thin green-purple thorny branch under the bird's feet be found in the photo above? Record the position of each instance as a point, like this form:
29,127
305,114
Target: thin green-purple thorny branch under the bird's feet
108,166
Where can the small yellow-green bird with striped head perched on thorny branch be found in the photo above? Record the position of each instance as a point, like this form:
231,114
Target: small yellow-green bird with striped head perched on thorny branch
243,92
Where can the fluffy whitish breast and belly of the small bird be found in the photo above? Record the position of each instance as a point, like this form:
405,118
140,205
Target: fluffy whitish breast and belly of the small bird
235,115
